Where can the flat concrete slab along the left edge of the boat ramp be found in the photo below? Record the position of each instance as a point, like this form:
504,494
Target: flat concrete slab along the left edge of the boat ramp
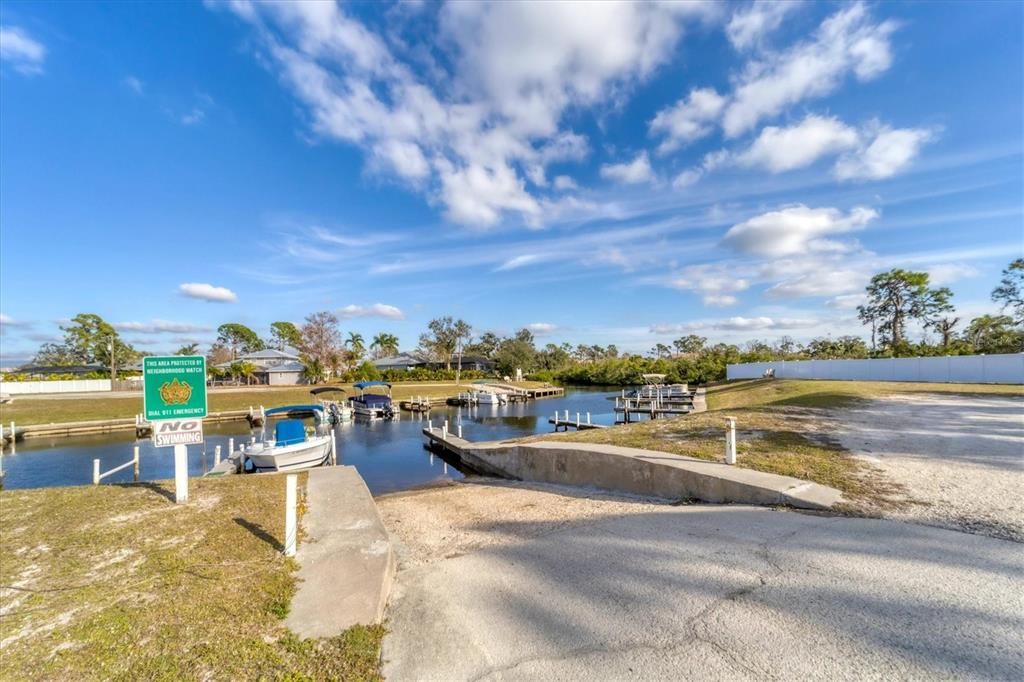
347,561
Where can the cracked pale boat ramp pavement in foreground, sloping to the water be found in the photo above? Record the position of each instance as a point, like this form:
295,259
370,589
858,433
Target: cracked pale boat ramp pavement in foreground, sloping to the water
502,581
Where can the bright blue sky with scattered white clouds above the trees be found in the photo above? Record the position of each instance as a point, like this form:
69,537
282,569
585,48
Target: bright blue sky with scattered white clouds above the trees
617,174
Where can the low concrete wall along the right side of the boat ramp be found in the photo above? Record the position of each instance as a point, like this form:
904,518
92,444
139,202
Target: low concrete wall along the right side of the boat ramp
635,472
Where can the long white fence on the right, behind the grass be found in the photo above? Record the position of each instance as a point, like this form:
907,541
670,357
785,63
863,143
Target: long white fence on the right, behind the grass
1007,369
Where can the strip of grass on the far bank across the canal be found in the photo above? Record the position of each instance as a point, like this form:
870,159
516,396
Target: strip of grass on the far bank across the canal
27,411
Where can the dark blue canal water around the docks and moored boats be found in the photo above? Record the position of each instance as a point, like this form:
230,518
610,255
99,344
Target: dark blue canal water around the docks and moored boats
391,456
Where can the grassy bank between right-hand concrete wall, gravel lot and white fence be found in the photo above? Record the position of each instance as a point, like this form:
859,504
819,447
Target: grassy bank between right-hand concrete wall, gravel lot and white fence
782,429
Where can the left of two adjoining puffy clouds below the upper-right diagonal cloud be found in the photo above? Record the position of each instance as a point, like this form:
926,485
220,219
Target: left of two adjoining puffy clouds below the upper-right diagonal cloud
787,149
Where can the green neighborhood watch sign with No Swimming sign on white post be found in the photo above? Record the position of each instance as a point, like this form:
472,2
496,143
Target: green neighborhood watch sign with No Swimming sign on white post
175,400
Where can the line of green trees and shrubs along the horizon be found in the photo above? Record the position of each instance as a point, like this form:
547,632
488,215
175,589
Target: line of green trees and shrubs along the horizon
894,302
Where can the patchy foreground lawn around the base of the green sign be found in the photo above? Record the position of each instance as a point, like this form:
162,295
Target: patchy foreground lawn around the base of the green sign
116,582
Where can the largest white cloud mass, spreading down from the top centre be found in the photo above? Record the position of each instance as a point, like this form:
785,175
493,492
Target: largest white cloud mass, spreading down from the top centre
494,118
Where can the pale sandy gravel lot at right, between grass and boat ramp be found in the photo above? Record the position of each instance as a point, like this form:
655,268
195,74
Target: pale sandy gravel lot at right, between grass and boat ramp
961,458
